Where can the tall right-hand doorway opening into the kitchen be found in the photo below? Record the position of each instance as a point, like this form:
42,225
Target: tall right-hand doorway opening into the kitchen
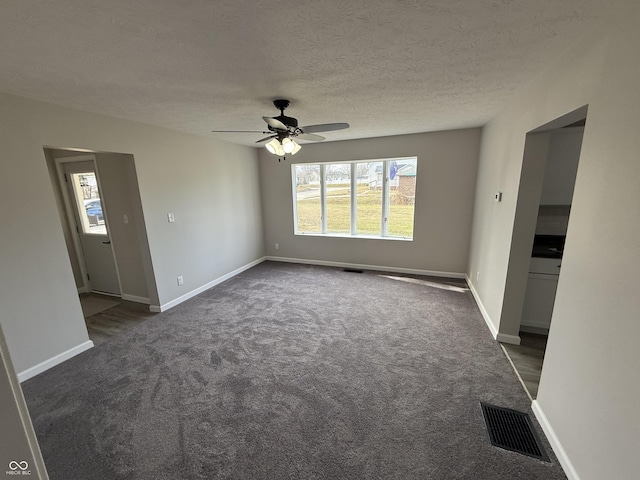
550,165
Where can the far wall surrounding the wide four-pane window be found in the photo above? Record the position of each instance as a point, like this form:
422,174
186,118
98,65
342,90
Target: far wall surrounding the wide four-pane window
447,165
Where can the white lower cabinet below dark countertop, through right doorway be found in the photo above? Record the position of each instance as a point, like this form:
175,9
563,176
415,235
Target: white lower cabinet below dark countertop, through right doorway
541,293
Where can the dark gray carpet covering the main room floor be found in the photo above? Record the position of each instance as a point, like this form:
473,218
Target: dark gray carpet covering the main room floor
289,372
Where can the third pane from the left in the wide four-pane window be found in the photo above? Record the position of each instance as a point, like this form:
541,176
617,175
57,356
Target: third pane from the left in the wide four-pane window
369,198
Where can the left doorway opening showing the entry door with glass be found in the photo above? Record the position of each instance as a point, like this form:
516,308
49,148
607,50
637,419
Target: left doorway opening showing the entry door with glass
103,226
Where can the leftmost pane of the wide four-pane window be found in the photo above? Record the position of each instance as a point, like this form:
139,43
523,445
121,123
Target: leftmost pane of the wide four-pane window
308,207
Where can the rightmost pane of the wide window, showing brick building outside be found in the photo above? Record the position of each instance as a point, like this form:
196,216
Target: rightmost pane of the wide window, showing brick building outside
402,194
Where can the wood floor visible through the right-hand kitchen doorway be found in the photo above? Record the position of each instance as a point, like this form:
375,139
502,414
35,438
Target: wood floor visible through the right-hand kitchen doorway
527,359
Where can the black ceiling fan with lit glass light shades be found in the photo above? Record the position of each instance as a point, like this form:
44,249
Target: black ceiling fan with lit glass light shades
282,131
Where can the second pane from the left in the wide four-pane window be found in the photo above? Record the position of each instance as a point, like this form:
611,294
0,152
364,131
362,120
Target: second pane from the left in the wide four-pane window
338,191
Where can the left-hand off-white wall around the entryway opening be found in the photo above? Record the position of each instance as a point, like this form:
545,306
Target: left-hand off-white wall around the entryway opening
212,187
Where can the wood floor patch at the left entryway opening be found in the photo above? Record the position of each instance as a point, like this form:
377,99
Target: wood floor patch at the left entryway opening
104,325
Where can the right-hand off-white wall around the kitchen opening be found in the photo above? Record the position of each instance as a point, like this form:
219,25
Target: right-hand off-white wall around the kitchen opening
588,393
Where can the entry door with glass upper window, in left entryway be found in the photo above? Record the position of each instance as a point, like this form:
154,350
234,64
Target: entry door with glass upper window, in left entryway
88,208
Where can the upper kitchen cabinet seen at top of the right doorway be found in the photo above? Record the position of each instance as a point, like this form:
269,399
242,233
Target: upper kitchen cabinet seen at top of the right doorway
562,166
